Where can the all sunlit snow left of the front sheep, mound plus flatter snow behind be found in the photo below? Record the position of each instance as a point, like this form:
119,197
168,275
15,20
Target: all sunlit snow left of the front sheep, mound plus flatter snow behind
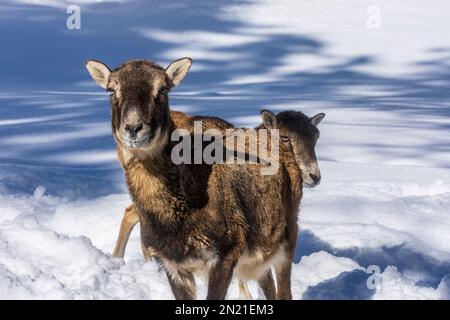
50,255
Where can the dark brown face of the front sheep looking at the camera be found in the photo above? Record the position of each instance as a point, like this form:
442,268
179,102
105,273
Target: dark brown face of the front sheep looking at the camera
140,108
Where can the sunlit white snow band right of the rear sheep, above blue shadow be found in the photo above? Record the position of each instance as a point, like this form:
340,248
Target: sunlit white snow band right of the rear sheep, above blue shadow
380,212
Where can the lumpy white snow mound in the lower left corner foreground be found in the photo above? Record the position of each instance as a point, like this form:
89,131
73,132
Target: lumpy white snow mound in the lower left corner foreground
37,262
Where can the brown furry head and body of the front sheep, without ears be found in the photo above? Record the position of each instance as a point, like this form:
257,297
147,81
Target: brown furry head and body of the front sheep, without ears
242,219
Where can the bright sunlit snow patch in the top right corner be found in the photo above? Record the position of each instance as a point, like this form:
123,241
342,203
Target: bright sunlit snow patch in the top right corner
345,26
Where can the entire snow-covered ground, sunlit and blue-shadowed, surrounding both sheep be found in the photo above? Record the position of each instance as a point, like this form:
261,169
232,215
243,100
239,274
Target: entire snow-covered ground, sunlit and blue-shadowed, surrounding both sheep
384,151
